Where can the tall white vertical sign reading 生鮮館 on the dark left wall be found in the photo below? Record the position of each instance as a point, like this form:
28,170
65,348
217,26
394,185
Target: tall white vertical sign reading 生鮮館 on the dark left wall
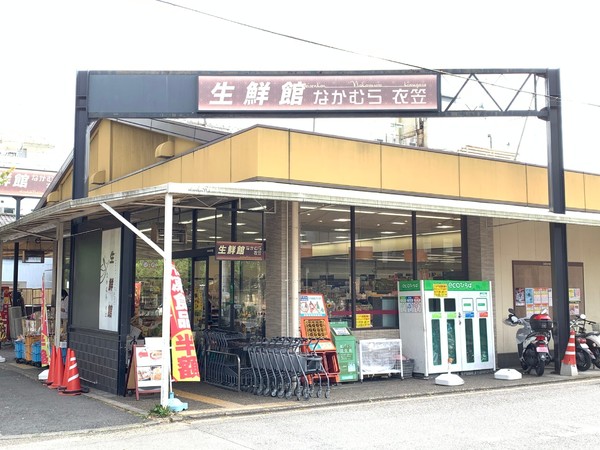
109,279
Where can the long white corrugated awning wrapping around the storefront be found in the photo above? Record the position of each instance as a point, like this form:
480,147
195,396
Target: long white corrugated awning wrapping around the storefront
44,221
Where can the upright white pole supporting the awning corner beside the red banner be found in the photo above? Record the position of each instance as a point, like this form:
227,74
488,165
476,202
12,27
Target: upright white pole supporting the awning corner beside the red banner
166,325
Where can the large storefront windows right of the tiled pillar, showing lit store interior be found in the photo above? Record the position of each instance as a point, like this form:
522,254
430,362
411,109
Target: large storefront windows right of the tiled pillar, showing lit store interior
383,255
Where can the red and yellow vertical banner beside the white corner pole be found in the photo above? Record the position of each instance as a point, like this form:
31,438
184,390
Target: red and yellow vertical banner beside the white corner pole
184,362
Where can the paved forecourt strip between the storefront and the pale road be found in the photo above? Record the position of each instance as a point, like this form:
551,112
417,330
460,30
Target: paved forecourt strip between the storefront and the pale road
30,408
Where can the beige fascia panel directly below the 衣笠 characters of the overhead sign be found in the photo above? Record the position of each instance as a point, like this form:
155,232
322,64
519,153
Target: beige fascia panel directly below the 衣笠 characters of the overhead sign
419,171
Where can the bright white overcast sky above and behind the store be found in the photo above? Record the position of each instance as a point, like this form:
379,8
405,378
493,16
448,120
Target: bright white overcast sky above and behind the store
44,44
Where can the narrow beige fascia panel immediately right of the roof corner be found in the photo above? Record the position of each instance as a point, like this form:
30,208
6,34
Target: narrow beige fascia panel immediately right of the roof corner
273,155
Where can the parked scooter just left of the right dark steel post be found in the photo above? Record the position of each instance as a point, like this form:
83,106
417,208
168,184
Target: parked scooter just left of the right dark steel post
532,340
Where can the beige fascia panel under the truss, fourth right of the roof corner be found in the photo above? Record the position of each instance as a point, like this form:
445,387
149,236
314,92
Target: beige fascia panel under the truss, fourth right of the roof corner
493,180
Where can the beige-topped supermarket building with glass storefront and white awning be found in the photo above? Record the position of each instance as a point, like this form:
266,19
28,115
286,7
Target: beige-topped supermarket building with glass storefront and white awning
343,217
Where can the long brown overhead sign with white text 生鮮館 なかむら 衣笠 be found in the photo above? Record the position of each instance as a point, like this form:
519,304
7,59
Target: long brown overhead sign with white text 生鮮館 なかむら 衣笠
314,93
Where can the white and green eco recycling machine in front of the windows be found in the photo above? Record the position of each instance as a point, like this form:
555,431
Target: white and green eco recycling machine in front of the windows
447,325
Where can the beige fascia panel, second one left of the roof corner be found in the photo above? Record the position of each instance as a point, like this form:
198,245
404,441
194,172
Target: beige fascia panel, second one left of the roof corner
213,164
